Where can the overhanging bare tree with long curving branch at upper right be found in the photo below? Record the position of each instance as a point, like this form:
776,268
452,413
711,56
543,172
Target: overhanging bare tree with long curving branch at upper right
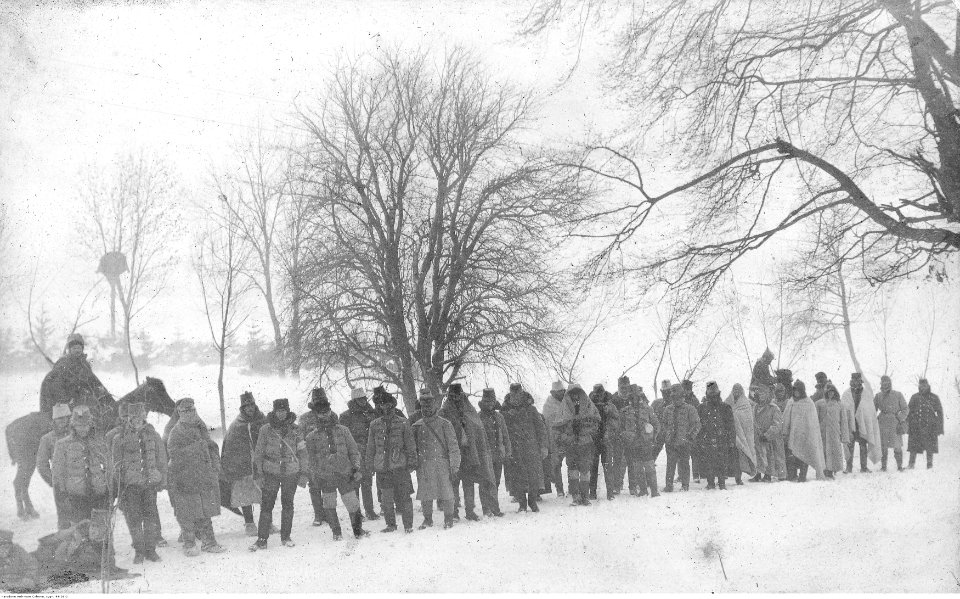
852,103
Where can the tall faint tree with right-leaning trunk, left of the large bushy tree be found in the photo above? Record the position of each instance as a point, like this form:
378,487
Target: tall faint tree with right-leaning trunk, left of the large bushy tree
256,193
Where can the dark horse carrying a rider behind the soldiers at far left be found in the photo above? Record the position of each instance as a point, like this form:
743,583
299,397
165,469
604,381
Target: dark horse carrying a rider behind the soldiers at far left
23,434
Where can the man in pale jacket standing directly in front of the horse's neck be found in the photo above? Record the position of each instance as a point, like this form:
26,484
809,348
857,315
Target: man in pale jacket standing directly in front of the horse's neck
138,462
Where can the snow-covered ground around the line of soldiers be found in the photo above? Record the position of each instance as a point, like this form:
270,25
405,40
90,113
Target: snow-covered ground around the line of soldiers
864,532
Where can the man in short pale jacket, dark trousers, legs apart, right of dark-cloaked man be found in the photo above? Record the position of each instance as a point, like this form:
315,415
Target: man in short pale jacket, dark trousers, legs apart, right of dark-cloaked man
281,464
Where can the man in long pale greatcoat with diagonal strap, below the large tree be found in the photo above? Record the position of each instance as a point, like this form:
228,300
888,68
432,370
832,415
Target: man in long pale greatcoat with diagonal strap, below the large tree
438,461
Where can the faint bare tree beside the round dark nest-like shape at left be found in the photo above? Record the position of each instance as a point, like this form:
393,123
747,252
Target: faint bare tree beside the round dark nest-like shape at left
131,214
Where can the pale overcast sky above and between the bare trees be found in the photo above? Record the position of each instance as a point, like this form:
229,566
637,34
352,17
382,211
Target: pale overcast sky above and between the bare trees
189,80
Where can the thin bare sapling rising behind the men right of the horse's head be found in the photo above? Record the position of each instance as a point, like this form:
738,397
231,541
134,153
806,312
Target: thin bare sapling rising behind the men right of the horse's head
219,266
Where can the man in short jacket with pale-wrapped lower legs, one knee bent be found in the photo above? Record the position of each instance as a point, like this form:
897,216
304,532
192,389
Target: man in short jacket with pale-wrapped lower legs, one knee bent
335,465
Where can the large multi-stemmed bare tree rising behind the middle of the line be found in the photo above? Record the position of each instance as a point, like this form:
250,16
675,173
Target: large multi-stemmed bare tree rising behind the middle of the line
433,220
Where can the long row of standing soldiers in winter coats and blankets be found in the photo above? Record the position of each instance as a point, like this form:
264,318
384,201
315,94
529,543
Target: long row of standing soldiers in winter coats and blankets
456,449
